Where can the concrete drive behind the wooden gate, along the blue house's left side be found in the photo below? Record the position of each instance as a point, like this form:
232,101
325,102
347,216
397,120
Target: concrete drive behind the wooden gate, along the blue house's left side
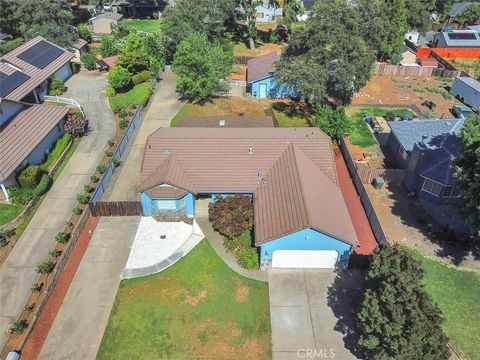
164,105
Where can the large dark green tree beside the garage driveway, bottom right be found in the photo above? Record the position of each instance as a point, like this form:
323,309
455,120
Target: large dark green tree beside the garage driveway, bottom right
397,319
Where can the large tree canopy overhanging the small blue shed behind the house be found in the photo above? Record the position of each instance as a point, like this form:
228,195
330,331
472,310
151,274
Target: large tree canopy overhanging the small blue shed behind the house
324,60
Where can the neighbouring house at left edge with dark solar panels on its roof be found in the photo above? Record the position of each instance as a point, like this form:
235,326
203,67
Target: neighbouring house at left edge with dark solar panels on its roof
29,129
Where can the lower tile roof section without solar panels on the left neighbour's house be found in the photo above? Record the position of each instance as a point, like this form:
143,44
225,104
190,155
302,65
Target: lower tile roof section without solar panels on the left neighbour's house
24,132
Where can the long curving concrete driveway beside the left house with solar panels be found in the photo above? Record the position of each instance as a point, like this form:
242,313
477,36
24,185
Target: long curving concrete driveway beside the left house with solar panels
18,272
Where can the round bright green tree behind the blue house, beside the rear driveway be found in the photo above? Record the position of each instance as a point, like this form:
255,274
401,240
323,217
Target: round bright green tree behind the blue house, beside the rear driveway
200,66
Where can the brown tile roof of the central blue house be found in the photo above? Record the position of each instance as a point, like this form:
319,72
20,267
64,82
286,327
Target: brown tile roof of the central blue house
299,190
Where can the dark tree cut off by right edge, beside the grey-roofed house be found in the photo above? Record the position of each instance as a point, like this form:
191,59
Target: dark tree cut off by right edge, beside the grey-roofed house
467,170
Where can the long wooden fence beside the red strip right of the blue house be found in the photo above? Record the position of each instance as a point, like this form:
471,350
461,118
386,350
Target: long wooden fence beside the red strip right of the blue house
377,229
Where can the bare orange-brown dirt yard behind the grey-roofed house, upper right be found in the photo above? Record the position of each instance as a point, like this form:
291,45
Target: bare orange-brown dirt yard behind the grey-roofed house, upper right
391,90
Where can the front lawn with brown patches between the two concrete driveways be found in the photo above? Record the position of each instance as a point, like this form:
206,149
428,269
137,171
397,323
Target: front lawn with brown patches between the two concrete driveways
196,309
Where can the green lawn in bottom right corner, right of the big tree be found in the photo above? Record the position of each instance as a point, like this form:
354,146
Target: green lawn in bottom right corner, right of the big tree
457,293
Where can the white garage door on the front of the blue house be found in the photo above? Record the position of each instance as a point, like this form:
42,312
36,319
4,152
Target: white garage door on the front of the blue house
320,259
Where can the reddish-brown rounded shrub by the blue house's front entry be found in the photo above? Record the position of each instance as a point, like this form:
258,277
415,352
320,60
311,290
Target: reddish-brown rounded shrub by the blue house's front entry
231,215
